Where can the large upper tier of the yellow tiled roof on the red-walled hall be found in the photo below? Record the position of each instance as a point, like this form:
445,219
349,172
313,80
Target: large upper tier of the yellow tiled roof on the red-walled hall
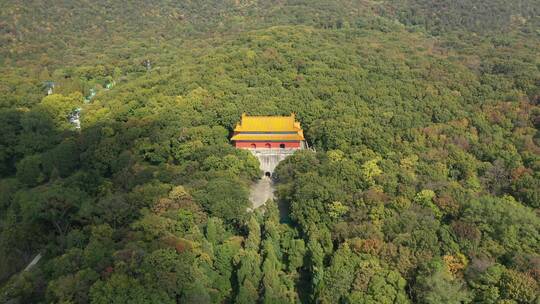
268,124
